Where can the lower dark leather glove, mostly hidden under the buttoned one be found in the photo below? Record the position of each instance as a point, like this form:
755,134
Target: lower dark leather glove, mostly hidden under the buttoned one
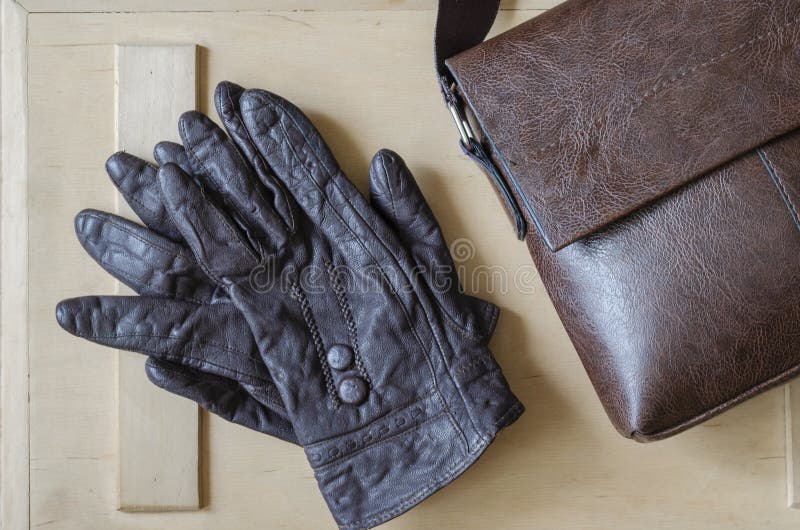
197,343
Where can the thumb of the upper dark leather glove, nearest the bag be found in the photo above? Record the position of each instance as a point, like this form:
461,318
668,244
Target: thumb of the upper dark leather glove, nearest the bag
396,196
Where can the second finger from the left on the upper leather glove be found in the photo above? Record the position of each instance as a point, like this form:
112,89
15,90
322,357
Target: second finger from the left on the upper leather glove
216,161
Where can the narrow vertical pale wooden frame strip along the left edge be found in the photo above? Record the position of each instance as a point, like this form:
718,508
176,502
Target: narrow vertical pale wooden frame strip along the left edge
14,411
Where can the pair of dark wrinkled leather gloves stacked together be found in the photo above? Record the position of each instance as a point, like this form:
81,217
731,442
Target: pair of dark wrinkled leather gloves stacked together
276,296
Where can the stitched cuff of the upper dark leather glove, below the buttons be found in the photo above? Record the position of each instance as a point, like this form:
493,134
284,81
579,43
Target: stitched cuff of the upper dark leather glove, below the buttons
401,459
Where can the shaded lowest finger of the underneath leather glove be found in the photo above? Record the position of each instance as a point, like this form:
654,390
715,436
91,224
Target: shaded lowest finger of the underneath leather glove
222,396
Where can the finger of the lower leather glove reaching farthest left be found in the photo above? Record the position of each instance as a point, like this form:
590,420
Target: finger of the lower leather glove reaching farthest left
212,338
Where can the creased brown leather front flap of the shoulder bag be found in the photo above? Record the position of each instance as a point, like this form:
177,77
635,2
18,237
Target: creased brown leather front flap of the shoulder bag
598,107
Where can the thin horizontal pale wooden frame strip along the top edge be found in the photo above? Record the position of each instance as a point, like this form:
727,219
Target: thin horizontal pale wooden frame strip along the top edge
139,6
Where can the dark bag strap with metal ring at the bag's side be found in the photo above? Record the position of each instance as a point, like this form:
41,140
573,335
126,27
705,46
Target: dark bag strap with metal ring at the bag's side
460,25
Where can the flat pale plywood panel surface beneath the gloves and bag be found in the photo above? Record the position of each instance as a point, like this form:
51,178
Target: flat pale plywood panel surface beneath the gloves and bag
366,79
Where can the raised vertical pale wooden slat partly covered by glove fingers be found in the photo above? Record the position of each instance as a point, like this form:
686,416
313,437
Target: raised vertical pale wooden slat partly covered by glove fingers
158,432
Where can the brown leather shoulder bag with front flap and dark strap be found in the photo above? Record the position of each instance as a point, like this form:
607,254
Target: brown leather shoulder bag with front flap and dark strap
649,155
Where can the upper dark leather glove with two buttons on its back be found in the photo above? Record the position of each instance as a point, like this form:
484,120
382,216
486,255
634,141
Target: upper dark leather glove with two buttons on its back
383,369
